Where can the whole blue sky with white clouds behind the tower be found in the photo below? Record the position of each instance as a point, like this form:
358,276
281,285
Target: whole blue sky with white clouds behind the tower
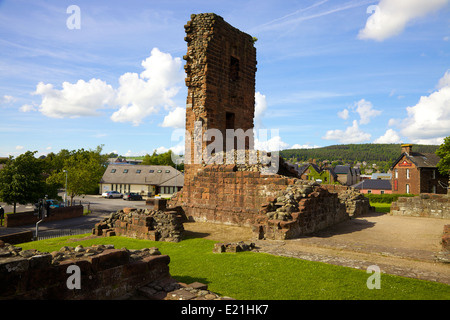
329,72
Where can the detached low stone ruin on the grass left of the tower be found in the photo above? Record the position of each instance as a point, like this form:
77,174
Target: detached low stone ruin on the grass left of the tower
155,225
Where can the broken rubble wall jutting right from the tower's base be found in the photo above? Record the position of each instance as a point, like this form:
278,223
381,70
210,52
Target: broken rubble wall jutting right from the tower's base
306,207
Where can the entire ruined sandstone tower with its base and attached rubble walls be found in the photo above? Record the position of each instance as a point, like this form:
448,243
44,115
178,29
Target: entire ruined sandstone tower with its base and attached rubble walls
221,67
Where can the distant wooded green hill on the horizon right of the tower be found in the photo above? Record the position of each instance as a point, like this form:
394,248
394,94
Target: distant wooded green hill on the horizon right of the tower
352,153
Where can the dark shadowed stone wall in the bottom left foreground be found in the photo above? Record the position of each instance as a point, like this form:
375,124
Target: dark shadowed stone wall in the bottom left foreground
105,272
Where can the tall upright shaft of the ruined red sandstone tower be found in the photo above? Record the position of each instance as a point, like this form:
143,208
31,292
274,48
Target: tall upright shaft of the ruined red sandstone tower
220,67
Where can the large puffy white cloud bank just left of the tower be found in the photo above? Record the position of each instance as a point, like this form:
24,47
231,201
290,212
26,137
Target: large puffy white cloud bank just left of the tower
137,96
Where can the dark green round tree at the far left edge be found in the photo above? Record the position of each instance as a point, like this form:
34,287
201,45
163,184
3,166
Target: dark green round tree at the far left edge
21,180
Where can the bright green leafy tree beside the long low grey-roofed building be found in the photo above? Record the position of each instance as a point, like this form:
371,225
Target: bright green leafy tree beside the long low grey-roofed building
84,169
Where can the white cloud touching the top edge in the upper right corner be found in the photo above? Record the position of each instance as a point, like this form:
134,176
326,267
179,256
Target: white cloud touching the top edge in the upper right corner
391,17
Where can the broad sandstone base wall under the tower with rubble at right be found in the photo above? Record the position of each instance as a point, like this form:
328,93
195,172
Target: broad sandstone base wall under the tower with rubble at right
276,206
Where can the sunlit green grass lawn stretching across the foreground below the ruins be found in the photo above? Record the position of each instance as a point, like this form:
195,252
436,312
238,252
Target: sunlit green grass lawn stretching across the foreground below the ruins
251,275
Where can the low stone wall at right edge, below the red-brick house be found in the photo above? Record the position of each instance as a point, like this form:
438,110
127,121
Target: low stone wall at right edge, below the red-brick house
424,205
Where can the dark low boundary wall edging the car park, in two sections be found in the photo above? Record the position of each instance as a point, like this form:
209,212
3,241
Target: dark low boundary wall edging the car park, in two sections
30,217
